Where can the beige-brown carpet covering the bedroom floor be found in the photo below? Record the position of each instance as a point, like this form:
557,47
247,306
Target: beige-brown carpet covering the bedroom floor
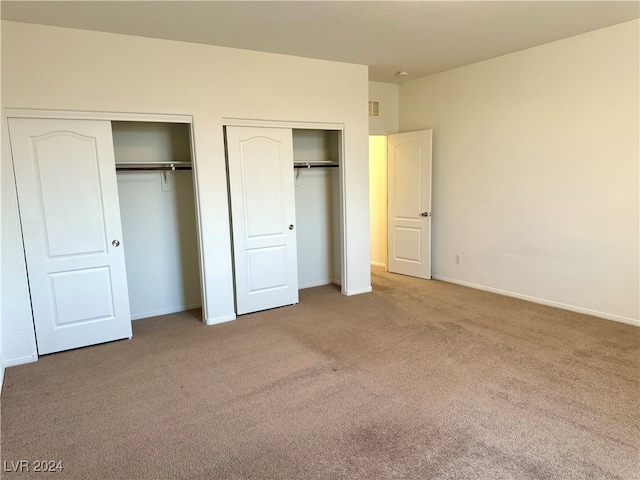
418,380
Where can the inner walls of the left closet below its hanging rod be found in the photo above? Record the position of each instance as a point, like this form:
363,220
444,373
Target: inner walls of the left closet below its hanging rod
160,242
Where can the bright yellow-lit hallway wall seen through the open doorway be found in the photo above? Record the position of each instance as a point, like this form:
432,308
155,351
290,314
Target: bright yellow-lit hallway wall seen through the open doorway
378,199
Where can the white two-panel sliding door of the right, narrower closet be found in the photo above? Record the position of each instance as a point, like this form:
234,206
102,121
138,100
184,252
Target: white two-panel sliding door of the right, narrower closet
263,216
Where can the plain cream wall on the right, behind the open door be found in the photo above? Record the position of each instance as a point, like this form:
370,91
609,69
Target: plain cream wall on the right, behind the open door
535,171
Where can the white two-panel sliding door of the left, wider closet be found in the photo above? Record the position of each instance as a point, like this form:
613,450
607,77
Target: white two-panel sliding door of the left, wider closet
68,198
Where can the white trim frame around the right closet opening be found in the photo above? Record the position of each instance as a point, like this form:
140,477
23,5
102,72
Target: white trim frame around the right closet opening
244,122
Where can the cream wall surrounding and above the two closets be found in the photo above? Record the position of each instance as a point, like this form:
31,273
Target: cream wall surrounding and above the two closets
64,69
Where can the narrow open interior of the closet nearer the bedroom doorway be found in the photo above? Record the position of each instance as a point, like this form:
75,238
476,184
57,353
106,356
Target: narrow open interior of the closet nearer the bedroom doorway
316,160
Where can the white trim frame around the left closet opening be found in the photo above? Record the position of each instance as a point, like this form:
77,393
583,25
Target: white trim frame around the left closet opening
8,113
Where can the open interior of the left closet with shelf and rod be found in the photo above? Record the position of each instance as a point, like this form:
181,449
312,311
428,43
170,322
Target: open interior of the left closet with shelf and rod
158,215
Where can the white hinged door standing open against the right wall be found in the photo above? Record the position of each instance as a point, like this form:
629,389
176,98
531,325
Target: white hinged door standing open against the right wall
409,203
